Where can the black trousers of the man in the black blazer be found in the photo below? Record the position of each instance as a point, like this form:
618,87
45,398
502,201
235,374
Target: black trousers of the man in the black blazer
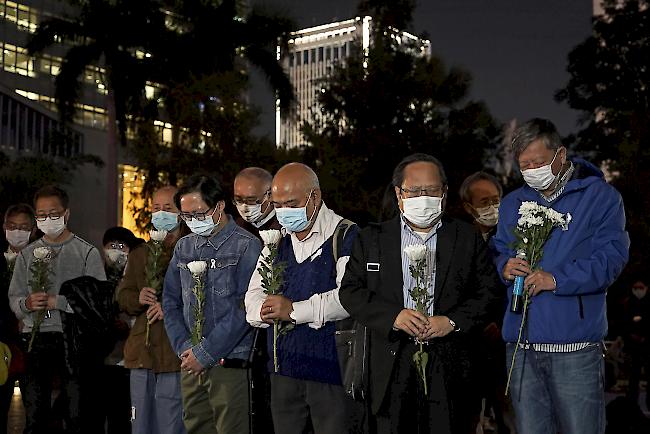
405,408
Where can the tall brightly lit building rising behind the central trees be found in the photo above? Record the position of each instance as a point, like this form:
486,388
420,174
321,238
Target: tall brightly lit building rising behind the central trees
312,53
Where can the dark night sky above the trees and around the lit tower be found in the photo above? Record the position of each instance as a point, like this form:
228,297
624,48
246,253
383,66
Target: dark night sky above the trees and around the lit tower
516,50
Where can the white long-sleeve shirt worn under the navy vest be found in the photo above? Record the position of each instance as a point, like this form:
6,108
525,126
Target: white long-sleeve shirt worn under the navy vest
319,308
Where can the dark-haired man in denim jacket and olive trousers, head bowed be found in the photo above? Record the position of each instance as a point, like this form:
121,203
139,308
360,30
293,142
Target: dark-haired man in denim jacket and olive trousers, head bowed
215,397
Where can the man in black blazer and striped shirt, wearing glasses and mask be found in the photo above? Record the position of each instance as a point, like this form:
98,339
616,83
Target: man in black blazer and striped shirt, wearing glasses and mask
464,286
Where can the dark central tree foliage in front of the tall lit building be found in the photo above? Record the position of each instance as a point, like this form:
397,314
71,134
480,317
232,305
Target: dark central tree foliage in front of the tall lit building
374,110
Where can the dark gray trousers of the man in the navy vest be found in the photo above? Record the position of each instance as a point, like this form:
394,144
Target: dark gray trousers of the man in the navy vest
295,403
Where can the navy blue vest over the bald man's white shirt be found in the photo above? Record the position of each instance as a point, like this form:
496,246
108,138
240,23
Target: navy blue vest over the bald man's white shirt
305,353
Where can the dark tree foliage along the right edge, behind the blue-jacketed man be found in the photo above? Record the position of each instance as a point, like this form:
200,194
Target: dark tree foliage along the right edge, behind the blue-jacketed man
609,84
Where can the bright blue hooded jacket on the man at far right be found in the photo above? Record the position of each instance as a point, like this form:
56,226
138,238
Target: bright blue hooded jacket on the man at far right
584,260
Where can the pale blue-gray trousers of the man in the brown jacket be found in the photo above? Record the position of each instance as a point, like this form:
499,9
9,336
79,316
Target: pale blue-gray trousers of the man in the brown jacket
157,407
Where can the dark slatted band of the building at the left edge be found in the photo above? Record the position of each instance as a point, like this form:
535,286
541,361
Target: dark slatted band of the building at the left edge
25,129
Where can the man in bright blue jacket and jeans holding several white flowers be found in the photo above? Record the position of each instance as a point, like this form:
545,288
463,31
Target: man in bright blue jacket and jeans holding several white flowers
557,379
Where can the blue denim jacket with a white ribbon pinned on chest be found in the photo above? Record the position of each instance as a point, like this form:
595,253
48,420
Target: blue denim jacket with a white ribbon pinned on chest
231,255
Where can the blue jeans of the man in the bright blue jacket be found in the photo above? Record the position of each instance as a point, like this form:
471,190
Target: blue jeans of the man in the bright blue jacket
558,392
